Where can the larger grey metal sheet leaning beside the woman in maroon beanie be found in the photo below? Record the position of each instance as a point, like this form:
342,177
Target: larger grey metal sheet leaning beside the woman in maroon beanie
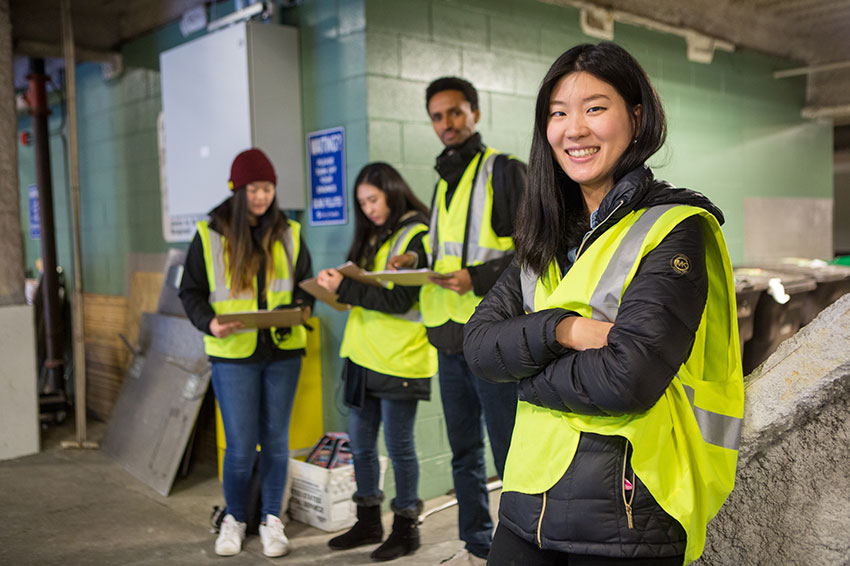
159,401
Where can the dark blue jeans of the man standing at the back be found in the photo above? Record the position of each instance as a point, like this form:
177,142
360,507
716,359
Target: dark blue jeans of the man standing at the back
469,402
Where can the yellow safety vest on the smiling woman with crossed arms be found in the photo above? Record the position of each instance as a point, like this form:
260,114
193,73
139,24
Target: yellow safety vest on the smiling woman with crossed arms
685,447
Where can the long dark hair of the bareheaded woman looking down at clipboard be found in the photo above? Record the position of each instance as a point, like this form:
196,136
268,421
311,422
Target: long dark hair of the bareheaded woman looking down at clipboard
400,200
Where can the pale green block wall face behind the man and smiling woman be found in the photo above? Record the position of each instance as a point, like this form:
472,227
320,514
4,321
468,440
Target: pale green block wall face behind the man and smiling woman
735,132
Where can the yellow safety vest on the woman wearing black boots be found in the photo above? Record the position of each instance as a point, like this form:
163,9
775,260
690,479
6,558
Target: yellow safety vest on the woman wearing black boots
392,344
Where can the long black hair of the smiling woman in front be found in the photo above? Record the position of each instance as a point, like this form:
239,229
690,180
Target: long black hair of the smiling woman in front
552,216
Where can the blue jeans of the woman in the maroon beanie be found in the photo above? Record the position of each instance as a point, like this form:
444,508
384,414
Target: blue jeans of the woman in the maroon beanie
256,404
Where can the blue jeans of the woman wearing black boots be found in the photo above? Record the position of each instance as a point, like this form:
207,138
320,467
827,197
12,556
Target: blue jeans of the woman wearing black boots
398,416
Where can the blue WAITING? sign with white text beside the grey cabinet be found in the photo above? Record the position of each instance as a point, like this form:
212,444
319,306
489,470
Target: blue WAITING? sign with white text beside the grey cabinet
326,149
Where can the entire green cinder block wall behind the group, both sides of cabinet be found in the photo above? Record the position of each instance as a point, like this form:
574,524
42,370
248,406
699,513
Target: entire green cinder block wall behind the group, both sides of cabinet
735,132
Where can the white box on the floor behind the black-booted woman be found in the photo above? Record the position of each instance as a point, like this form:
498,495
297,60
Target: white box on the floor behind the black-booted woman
321,497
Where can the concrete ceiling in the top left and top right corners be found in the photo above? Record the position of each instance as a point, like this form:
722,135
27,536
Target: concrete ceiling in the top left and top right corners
811,32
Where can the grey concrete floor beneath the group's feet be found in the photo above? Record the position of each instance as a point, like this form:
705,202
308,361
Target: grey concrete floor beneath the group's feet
78,507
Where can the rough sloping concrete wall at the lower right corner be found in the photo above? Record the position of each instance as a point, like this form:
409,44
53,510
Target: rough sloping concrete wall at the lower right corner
790,501
